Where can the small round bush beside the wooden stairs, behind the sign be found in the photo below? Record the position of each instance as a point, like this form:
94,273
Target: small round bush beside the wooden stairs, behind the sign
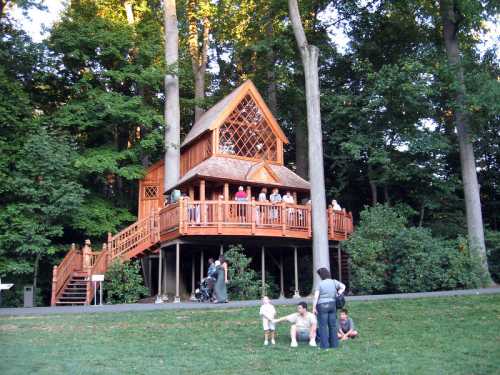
123,283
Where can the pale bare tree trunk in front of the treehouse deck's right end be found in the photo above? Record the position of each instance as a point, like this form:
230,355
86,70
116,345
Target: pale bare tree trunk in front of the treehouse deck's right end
309,54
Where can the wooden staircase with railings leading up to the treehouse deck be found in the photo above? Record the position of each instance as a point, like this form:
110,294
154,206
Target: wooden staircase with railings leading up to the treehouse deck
71,280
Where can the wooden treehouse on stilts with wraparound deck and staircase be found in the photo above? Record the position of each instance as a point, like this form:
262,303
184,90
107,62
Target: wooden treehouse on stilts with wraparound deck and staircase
237,143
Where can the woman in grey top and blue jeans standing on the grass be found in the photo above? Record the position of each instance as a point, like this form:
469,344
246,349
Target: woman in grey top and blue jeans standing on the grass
326,310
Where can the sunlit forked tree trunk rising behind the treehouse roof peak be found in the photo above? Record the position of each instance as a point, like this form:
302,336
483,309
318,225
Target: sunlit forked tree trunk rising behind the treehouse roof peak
199,57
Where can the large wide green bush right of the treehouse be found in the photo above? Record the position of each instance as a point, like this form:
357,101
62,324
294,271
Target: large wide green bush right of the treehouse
387,256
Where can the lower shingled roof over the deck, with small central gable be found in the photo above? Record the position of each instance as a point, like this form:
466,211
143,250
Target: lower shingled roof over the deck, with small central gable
238,170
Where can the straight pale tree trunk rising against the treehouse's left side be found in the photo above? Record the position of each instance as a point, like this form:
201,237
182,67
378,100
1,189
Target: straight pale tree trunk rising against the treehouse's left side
172,106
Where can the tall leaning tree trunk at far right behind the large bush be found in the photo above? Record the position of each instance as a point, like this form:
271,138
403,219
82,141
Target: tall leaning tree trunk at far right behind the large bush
451,20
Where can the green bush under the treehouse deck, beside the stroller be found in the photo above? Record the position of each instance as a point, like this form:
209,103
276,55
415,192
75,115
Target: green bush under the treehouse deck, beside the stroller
244,282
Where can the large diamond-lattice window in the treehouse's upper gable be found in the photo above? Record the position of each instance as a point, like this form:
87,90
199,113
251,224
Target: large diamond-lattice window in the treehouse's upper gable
246,133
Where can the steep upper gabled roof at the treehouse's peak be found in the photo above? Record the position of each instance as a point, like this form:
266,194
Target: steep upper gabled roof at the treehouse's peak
216,115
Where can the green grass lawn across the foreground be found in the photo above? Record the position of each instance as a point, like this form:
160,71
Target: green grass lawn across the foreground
456,335
